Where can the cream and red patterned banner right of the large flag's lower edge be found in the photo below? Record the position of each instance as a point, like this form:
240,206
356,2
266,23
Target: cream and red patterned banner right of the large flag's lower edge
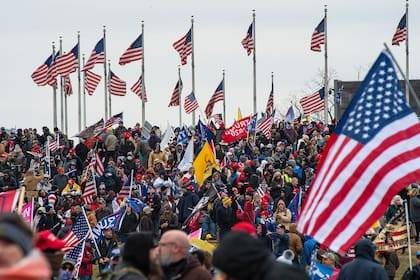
394,235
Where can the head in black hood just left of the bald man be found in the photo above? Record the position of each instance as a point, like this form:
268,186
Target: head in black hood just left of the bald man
140,251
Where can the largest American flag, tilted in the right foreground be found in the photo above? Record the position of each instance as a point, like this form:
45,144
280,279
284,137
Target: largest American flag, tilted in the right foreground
373,153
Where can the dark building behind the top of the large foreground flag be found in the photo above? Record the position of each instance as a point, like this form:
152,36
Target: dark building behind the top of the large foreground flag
350,88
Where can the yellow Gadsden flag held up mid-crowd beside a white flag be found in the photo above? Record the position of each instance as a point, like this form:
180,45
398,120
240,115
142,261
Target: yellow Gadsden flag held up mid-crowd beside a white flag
204,164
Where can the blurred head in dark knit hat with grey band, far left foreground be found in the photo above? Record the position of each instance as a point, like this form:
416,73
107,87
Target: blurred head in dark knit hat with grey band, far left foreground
15,239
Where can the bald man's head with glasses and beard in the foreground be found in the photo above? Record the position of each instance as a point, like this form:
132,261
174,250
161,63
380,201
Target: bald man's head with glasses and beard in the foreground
173,247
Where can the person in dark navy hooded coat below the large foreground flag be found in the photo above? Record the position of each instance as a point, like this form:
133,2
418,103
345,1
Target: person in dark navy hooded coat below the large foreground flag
364,266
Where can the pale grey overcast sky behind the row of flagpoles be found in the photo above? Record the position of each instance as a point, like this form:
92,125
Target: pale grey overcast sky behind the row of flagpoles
356,32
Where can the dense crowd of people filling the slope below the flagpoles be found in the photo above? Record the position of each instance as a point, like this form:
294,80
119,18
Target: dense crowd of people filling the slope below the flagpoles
246,211
